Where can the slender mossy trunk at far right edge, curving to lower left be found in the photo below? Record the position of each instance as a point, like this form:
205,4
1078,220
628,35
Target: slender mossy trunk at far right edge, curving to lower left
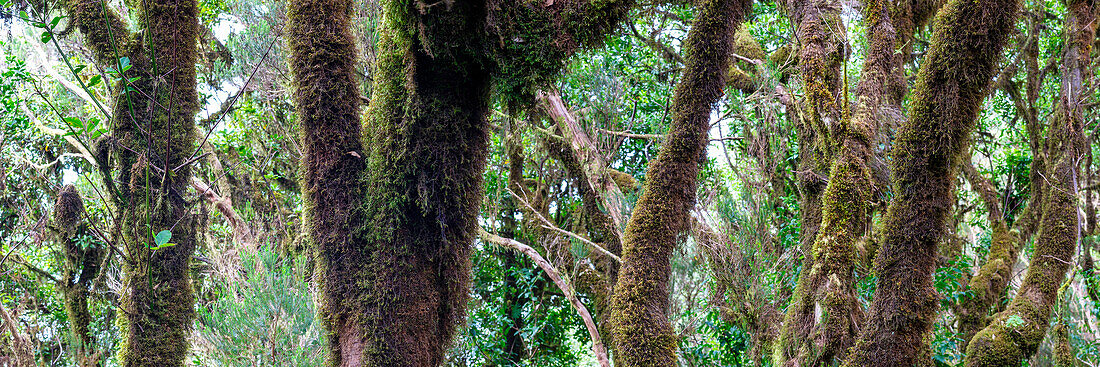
1016,333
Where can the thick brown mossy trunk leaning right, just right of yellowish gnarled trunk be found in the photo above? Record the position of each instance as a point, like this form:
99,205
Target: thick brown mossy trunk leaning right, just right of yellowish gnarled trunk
951,87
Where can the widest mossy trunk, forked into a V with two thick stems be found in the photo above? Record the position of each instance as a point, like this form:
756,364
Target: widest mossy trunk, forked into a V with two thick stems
393,225
